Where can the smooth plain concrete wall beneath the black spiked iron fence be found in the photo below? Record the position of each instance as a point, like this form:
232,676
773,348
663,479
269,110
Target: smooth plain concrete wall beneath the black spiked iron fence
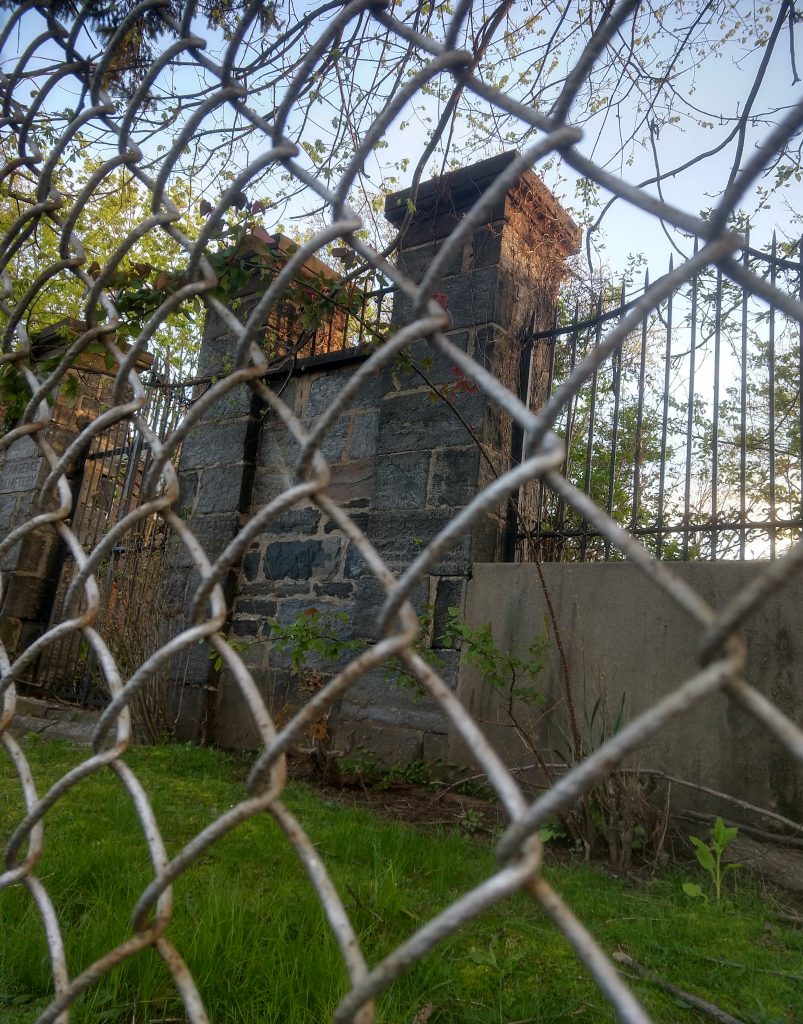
623,636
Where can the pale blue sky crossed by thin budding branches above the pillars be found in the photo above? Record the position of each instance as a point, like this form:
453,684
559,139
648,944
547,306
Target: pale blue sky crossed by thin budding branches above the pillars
682,95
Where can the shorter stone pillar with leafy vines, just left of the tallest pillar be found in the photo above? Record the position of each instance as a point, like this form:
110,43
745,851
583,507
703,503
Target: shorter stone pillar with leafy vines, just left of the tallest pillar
217,473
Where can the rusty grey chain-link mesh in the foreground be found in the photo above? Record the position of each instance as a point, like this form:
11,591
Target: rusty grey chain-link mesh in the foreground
61,57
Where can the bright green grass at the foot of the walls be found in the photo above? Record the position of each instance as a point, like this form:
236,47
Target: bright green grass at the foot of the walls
256,938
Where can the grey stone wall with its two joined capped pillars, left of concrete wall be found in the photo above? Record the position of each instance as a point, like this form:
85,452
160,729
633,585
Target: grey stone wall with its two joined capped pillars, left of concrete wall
404,461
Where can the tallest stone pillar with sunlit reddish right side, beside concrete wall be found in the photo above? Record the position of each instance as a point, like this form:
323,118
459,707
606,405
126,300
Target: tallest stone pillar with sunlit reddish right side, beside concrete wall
498,290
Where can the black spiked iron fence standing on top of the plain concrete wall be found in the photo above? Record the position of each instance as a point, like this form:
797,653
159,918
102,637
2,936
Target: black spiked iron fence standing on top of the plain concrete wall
690,436
